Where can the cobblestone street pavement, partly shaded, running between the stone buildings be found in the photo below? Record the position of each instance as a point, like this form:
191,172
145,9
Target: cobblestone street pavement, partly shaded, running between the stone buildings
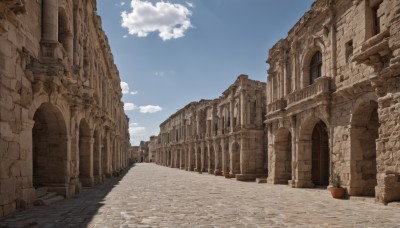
155,196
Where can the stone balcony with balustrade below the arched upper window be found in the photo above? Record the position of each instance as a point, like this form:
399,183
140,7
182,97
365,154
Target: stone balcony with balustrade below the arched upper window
319,88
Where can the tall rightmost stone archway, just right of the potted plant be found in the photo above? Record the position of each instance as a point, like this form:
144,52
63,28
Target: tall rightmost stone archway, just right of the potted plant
363,136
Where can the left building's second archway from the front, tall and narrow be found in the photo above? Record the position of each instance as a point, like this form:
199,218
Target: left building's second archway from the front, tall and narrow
85,154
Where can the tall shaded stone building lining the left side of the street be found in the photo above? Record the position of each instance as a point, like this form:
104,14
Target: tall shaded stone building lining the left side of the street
62,123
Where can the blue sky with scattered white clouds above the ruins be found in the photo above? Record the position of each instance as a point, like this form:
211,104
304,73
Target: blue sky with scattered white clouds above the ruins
170,53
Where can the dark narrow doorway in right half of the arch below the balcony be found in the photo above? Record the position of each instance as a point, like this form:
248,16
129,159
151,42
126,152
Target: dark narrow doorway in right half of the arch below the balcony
320,155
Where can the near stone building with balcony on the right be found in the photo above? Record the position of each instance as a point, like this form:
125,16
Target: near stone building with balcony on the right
333,95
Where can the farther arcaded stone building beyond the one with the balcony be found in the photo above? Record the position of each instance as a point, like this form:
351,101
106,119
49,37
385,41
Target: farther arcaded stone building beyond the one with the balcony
221,136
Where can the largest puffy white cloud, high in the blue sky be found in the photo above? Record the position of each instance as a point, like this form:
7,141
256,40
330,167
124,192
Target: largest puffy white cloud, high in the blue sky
168,19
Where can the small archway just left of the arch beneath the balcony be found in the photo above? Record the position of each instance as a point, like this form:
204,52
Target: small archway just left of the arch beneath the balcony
283,156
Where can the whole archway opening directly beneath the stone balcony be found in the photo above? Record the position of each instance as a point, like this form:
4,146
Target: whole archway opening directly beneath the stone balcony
314,154
